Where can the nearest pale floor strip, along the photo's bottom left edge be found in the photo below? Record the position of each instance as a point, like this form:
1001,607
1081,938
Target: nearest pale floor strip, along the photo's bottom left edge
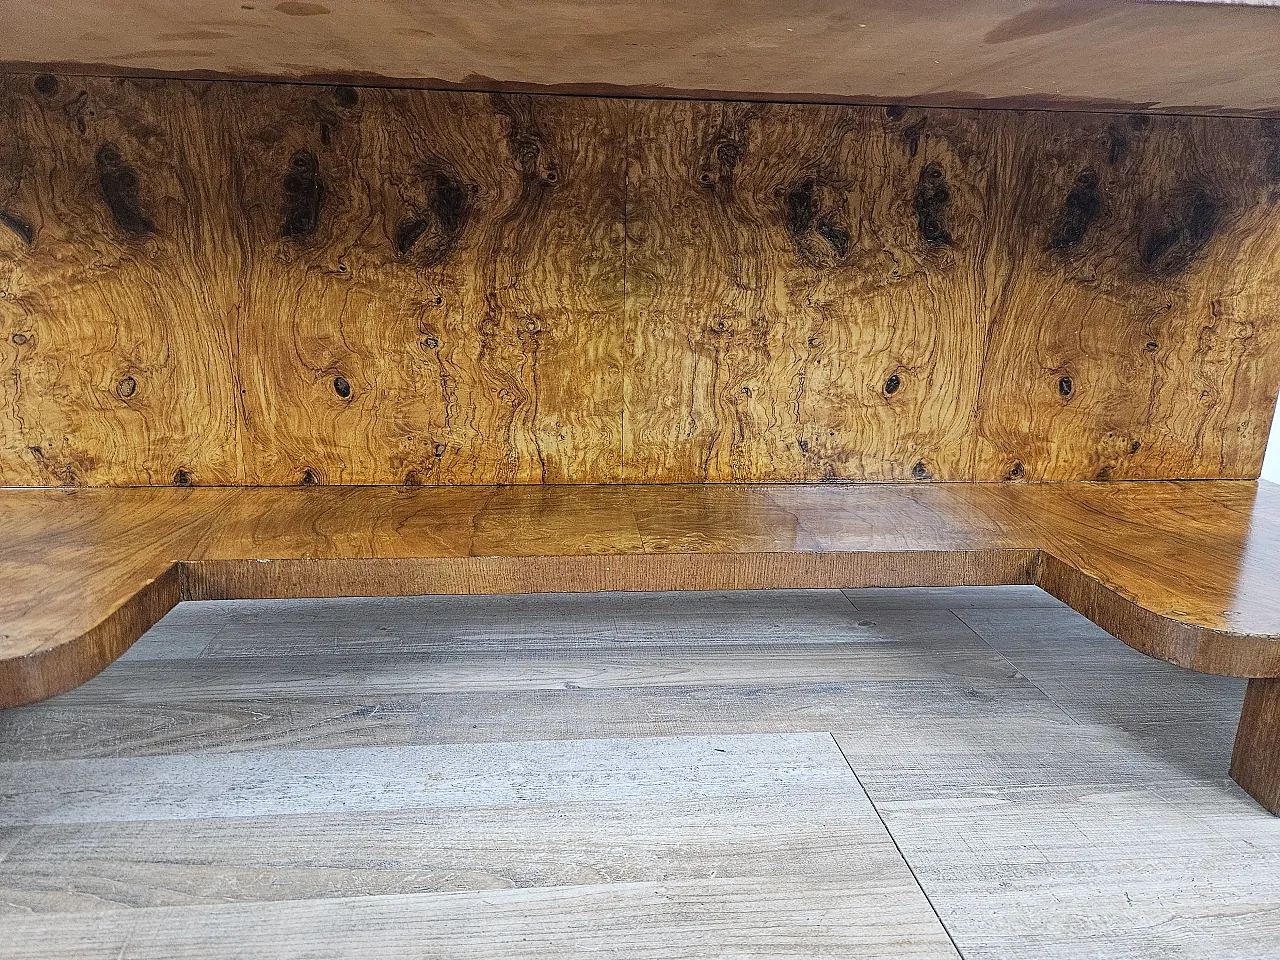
787,917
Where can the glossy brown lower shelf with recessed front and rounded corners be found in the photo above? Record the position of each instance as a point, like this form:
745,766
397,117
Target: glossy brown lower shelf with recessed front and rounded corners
1182,572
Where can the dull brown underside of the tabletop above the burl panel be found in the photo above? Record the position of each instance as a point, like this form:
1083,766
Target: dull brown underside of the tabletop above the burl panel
1014,53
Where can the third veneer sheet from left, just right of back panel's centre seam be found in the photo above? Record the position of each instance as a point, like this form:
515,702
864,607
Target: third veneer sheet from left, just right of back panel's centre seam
789,319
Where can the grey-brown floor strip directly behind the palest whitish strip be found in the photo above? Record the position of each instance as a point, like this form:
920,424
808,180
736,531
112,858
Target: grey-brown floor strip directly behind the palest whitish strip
371,717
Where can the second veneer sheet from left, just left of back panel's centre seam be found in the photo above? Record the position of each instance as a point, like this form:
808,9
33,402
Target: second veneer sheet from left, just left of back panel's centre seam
451,318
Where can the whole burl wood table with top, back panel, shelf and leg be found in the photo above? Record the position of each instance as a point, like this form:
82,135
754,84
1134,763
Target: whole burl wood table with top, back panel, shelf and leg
340,335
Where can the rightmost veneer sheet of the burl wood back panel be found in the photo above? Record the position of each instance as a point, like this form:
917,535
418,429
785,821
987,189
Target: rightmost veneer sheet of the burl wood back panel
1135,331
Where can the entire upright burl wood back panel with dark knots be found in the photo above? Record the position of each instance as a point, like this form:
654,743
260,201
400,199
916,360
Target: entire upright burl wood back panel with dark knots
276,285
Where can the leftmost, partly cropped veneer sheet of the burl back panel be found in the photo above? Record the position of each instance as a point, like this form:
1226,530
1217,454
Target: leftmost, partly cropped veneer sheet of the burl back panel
117,363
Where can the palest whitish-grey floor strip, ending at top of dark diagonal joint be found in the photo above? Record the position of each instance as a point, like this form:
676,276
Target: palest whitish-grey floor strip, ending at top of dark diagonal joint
254,784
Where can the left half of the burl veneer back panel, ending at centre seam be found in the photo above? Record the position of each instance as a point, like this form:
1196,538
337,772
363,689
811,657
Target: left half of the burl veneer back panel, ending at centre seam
240,284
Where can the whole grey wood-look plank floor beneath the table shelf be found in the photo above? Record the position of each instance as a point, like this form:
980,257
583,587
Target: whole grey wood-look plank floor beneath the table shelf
868,774
